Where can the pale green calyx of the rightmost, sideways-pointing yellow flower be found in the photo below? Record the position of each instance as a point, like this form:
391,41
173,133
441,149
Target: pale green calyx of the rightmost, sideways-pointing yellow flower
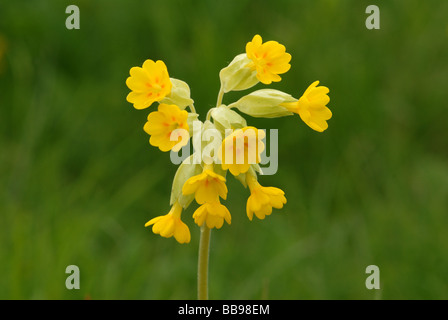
264,103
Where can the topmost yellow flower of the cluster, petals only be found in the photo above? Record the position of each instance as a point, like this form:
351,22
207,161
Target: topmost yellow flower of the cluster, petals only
269,59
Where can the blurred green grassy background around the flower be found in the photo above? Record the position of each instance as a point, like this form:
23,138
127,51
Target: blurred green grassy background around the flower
79,179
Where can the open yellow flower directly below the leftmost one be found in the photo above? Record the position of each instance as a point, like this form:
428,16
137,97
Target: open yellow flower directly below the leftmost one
165,126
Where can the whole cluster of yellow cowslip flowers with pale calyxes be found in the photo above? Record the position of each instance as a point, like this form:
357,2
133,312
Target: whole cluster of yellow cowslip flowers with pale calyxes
238,147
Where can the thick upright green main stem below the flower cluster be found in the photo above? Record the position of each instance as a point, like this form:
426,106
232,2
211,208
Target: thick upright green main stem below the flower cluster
204,252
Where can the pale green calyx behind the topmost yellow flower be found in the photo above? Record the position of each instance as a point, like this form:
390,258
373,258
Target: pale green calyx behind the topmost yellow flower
237,76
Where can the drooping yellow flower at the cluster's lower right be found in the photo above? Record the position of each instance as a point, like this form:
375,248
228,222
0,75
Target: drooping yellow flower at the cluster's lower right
262,199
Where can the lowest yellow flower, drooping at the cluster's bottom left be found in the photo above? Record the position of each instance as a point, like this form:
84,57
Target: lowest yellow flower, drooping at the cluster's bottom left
171,225
